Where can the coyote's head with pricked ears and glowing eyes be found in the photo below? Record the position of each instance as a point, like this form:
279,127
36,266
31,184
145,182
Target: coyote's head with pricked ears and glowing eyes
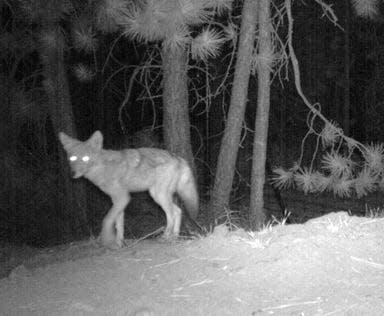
82,155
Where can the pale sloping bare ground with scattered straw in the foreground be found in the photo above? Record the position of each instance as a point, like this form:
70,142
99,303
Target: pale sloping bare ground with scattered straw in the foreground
329,265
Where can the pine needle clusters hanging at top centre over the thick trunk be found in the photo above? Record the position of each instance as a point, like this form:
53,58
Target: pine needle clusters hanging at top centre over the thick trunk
170,22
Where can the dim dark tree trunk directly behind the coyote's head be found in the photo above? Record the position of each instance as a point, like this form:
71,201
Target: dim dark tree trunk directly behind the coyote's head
60,111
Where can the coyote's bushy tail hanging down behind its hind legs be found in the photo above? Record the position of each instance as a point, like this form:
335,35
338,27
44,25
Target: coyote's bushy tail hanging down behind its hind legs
187,191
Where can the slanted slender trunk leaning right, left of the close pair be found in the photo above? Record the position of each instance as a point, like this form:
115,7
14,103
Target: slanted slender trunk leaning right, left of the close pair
230,143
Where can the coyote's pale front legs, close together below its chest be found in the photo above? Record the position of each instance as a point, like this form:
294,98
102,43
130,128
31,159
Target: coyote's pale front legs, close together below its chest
112,231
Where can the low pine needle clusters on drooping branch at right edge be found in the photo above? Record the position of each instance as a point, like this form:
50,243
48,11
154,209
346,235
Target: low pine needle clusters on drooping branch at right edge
346,168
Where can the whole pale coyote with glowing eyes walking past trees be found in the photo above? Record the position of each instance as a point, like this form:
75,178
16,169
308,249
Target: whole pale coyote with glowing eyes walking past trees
118,173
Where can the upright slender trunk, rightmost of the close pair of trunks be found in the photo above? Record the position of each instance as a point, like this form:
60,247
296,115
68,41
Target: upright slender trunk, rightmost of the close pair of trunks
257,216
